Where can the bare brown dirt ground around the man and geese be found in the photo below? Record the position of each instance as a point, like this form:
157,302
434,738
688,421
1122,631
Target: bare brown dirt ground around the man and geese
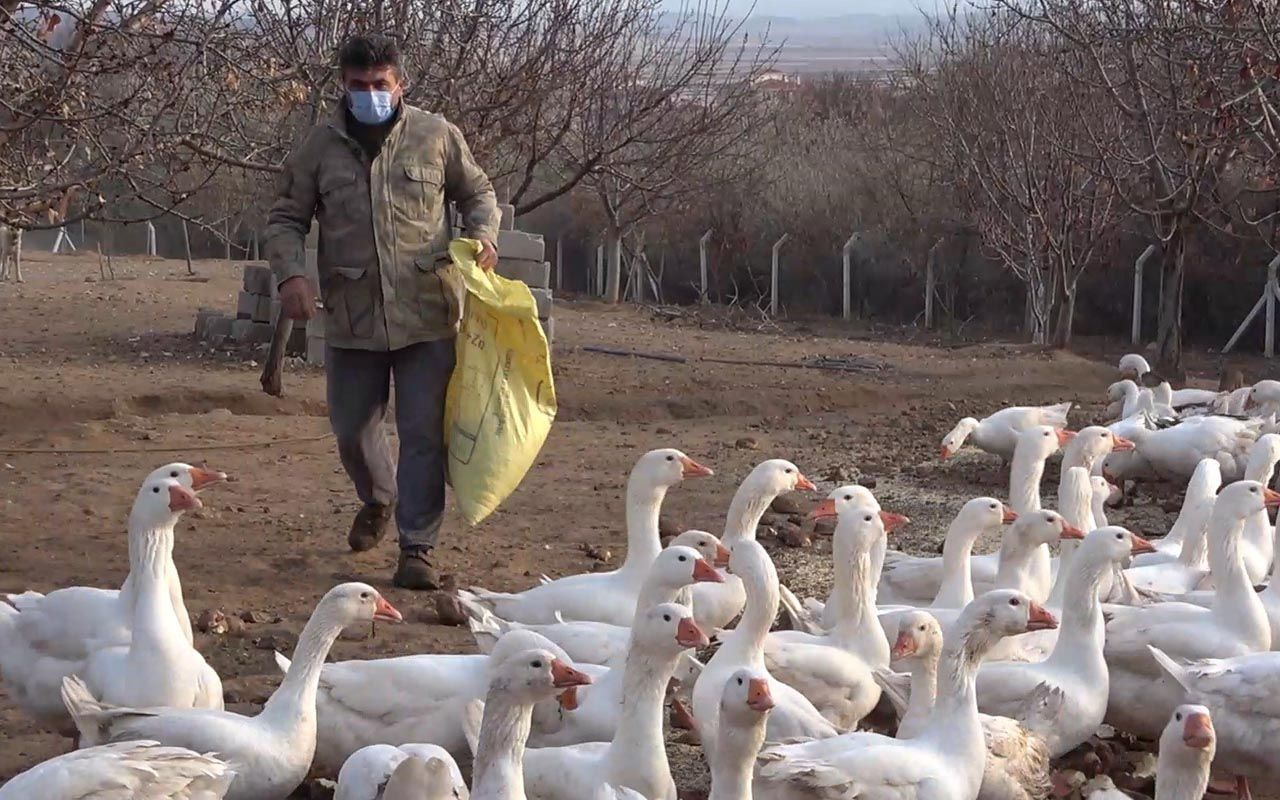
93,365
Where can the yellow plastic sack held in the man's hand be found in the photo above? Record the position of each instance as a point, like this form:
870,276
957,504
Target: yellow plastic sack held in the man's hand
501,401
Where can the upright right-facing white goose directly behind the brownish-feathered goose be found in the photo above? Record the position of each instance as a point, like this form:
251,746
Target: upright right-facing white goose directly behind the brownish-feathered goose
1075,669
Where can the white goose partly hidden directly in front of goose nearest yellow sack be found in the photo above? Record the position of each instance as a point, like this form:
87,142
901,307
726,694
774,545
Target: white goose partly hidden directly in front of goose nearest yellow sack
602,643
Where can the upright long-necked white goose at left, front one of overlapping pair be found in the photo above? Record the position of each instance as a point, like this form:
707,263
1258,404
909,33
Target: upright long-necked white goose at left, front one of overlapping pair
158,668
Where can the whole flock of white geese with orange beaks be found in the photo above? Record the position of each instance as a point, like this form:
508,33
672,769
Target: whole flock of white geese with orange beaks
995,665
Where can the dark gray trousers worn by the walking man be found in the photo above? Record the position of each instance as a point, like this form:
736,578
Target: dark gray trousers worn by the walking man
359,390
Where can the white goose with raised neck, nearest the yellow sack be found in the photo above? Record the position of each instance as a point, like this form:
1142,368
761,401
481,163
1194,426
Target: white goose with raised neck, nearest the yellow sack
605,597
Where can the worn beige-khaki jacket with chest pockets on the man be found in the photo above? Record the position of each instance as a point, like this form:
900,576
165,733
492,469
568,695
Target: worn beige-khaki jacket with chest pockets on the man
385,231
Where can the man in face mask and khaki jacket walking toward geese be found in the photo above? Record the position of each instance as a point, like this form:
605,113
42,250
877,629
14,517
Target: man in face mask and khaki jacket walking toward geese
378,177
